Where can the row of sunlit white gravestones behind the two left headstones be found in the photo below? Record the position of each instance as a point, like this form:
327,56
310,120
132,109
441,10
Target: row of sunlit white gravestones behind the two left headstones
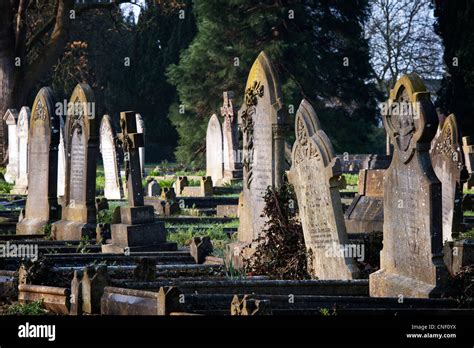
18,143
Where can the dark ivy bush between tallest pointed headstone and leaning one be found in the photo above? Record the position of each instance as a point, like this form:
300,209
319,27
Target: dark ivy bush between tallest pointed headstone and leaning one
281,251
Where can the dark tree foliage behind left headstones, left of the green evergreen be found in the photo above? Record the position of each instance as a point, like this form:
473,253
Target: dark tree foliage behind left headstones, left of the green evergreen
97,53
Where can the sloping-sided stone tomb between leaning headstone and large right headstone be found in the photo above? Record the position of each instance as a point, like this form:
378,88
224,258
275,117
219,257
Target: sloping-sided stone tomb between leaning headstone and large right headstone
365,214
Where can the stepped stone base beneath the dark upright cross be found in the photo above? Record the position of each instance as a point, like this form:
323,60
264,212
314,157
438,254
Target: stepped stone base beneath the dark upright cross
138,231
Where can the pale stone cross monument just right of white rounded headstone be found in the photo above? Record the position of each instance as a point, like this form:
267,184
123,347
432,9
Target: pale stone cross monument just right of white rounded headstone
230,132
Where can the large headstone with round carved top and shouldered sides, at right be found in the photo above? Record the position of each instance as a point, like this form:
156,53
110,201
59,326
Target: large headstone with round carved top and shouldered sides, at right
411,261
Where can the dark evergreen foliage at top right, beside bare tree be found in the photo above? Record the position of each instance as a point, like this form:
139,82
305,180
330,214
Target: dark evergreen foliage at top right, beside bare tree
455,25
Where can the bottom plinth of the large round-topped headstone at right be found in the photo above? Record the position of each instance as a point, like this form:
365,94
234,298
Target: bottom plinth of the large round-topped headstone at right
383,284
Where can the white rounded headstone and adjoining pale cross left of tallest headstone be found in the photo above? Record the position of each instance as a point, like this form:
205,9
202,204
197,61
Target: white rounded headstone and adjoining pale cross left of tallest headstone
222,155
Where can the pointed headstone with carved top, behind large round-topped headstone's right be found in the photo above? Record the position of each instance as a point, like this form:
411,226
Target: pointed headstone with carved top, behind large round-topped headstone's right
448,164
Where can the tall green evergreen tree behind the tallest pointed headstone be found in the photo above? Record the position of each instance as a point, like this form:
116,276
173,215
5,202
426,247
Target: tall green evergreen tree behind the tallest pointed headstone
317,48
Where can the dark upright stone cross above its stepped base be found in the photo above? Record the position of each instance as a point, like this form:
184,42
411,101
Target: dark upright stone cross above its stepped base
131,141
